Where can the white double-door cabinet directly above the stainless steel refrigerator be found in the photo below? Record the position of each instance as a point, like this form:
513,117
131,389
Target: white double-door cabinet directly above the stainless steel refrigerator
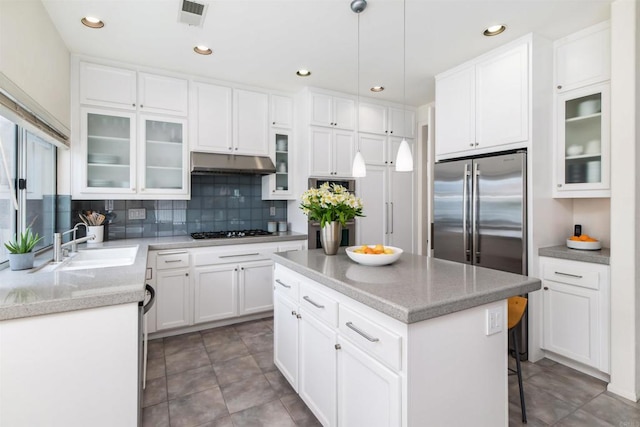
483,105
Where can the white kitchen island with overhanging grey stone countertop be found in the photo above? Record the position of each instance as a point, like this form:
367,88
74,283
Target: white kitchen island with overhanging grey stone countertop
419,342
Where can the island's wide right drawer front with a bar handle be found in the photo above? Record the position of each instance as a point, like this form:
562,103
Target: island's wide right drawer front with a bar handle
371,337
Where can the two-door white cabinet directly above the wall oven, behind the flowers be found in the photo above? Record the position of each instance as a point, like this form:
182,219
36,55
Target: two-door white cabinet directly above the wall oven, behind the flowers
331,152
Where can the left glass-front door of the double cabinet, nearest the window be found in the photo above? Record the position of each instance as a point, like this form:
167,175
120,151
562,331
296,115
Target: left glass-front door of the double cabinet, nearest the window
109,152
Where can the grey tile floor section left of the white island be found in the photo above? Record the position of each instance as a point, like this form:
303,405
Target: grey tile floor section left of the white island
220,377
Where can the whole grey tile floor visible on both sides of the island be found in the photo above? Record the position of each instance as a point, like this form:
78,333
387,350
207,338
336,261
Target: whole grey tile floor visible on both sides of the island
226,377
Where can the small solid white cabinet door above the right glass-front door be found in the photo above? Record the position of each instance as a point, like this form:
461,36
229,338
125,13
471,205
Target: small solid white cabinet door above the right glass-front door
163,94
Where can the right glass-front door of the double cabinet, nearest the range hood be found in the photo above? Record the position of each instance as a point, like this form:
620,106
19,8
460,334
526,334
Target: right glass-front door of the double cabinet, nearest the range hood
163,156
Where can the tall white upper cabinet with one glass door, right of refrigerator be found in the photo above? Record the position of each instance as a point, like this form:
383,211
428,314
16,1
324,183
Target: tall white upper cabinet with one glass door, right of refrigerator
582,126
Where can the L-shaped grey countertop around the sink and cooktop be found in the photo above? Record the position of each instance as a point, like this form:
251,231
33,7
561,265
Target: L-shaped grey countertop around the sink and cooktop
27,293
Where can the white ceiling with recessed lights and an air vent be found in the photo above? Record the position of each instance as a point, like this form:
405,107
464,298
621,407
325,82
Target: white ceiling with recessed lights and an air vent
263,42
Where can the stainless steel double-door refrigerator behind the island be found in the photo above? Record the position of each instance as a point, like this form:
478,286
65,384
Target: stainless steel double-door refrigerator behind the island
479,213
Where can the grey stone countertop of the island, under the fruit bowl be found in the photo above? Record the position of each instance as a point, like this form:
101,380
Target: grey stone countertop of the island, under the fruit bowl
412,289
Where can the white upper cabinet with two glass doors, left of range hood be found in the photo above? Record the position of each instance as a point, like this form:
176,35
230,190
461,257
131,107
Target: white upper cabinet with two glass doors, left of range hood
132,135
